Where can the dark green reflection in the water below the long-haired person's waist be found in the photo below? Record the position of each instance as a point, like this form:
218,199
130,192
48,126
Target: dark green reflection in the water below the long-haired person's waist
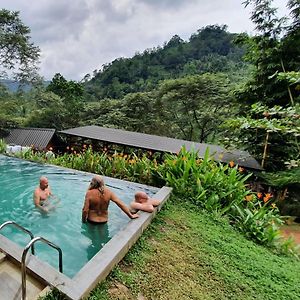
98,235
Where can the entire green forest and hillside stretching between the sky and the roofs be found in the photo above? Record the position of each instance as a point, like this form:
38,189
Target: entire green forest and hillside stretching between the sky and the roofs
218,87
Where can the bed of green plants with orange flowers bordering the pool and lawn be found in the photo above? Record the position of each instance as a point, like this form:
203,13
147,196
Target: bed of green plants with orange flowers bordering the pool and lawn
216,187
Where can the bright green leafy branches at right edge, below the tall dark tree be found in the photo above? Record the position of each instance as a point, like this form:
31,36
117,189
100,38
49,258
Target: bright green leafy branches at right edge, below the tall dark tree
270,134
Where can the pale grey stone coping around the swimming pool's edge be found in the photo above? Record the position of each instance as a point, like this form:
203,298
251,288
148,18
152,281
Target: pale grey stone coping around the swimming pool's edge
99,266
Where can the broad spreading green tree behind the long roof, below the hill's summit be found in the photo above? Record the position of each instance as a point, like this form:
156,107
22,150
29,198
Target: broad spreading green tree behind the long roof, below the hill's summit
193,107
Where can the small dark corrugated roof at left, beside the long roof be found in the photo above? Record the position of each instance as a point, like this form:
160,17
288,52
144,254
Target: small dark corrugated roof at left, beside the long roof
38,137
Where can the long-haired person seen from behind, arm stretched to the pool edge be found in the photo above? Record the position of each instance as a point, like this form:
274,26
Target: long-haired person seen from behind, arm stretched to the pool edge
97,199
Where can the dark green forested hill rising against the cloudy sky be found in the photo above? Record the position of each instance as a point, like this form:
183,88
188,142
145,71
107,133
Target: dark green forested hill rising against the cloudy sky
211,49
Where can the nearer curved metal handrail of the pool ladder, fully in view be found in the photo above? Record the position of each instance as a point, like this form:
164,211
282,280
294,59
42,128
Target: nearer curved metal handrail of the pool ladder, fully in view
25,251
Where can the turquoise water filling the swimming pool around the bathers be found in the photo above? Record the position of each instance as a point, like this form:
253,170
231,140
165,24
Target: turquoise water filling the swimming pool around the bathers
62,226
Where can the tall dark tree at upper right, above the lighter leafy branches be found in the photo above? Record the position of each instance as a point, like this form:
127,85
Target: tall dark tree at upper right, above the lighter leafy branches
274,49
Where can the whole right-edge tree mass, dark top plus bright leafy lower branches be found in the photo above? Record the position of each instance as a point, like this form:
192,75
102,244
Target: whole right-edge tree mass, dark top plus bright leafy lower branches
270,129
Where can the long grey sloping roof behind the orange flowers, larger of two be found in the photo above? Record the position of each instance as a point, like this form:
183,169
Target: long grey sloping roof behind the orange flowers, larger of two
162,144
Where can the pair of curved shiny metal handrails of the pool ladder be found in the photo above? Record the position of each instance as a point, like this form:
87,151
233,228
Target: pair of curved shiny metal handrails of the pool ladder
27,247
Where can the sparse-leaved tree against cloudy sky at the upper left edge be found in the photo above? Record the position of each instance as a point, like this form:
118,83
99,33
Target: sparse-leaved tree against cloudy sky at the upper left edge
17,54
